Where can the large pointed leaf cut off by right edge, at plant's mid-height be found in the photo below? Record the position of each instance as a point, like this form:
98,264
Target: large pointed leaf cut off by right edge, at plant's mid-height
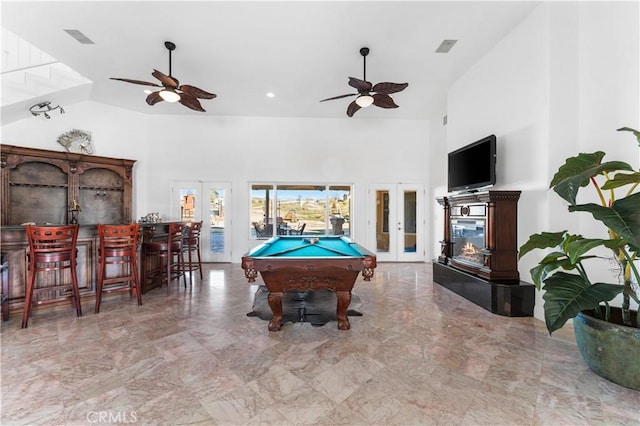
623,218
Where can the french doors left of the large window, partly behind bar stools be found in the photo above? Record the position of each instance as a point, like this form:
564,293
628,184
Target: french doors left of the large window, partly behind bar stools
209,202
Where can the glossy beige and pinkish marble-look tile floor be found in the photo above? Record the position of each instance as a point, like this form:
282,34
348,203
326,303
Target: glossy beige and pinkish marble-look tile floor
419,355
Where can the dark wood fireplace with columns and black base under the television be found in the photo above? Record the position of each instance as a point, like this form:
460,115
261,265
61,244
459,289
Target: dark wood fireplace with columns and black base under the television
479,253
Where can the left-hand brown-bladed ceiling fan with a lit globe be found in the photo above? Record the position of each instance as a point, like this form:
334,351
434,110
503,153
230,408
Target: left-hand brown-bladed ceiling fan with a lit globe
172,91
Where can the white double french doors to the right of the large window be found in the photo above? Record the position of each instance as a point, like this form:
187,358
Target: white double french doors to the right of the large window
396,222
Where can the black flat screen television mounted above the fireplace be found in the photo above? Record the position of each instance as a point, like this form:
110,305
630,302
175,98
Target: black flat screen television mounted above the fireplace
473,166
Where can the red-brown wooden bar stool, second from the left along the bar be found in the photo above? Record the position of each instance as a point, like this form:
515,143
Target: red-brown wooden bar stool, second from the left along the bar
118,246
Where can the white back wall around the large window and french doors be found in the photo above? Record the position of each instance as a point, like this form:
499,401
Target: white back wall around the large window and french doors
242,150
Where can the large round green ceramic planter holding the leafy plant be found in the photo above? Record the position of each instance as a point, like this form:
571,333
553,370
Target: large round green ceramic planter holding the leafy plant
610,350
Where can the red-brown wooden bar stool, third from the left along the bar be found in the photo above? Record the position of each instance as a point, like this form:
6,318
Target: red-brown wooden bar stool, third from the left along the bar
168,249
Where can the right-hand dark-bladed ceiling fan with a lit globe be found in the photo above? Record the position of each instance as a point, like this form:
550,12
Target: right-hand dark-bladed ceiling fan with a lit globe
368,94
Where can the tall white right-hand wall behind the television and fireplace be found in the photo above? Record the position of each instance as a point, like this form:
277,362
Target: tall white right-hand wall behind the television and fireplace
560,83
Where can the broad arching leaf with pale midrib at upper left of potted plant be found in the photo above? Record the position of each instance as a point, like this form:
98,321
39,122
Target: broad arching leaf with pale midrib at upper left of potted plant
577,171
